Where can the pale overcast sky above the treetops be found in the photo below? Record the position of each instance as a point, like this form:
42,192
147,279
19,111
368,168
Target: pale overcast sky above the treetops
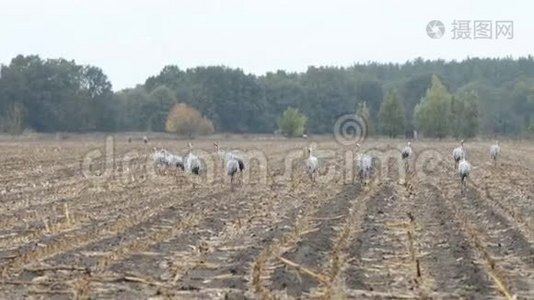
131,40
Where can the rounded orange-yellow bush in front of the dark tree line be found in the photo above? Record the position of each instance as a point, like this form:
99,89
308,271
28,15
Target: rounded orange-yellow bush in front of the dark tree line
186,120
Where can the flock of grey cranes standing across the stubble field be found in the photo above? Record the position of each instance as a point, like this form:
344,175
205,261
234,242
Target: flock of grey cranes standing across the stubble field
234,164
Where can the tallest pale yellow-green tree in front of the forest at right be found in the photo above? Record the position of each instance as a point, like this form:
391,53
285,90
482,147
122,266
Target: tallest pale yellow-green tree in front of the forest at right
432,114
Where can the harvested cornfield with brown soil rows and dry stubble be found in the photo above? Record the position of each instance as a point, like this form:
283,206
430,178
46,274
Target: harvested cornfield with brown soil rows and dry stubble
94,219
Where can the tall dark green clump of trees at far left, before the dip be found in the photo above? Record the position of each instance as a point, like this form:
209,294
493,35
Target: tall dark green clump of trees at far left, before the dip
57,94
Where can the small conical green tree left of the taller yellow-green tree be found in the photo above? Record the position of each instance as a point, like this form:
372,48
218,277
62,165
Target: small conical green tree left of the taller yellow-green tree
391,115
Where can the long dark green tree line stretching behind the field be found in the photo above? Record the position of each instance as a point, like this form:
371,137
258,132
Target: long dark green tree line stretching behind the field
438,98
